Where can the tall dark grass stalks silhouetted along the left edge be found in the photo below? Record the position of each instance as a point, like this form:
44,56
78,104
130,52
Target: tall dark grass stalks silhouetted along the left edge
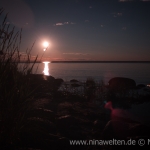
16,95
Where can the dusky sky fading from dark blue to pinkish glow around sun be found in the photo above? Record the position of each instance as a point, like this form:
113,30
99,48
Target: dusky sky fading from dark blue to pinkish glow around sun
83,29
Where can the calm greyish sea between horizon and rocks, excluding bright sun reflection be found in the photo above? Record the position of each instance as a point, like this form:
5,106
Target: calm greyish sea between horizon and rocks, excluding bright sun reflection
140,72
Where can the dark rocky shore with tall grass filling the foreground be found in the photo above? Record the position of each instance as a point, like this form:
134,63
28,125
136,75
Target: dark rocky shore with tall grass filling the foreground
40,112
